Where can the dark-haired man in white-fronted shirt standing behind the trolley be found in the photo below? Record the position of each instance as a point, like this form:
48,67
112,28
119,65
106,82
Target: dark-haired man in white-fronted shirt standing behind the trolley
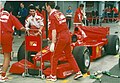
34,20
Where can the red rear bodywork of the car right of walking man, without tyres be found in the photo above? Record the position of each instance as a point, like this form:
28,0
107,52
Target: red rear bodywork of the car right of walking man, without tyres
96,39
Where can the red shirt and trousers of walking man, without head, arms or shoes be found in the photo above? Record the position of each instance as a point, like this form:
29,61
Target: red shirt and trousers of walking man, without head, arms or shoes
57,21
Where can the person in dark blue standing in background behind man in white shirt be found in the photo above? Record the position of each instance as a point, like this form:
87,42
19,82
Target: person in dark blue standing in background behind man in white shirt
22,13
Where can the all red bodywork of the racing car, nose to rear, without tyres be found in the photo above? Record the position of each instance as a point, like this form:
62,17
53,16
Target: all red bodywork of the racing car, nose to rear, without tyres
96,38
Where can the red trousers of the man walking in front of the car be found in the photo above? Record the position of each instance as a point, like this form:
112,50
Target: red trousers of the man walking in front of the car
63,44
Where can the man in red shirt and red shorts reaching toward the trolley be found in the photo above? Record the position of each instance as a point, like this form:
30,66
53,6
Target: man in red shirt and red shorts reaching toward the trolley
7,21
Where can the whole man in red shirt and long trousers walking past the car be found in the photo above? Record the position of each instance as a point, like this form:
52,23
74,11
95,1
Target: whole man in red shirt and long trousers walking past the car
60,37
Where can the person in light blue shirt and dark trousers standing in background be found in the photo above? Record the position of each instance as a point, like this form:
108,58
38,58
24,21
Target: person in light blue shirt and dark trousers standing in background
69,13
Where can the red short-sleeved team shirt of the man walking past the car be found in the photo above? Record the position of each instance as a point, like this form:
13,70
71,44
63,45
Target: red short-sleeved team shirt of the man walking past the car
56,21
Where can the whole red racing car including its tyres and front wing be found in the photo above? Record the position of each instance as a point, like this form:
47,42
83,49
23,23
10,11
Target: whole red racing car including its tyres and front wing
97,43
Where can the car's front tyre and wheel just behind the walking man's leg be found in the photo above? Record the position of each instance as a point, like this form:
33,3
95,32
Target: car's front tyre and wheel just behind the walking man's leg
82,57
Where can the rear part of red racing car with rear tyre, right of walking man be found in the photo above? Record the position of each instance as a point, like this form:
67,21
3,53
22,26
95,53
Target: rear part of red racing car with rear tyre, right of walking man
98,41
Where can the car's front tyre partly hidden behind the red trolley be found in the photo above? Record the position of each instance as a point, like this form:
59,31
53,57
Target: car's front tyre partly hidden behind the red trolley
21,51
